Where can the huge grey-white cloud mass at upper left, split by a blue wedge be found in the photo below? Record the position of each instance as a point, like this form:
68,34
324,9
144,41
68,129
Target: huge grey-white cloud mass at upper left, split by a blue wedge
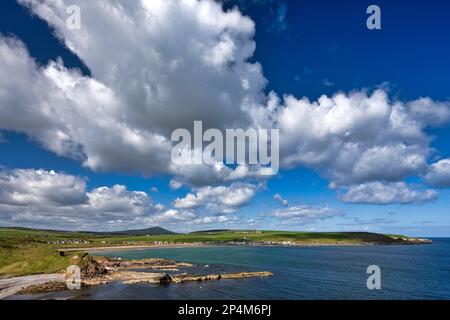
168,64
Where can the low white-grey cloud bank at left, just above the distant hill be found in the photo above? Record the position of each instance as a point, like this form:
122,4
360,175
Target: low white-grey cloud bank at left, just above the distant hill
38,197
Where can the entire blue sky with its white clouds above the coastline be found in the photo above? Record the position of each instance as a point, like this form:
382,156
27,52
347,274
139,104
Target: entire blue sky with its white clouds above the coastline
305,49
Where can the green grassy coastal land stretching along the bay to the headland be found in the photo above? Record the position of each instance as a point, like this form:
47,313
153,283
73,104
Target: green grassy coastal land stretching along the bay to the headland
28,251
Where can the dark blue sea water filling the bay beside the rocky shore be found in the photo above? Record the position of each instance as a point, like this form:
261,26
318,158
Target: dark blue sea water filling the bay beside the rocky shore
407,272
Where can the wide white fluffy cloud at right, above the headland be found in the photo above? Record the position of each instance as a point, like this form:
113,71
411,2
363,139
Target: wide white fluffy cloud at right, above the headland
357,137
